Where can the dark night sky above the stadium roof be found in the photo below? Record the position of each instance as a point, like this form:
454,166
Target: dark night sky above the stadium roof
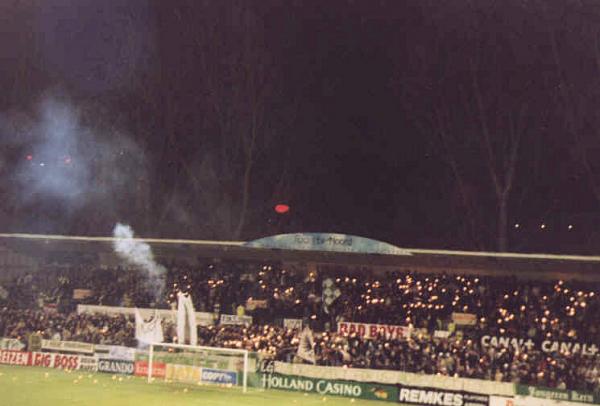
460,124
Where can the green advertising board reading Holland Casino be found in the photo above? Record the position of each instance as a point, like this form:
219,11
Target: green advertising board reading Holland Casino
327,387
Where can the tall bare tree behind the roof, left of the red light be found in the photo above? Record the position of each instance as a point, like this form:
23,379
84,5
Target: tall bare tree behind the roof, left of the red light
231,106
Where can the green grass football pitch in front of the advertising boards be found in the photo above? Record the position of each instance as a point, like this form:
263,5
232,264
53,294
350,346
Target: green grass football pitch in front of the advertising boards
50,387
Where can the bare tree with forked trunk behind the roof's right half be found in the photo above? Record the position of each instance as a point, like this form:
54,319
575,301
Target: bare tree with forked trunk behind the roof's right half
483,120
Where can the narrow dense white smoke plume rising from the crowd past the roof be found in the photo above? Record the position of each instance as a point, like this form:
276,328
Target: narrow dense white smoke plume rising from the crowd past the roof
138,253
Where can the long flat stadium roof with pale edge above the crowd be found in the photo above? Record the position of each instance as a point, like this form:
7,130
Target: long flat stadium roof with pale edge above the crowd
522,265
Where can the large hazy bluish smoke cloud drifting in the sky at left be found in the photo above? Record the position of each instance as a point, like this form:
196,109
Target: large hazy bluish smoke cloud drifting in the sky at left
62,159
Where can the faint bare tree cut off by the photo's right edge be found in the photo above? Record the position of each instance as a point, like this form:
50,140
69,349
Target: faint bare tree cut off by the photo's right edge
575,45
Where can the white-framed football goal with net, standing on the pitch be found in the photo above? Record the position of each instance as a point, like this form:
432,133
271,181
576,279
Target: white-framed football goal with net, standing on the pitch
198,365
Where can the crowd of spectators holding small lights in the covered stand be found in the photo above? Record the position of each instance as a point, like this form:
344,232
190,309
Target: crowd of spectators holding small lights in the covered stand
565,311
